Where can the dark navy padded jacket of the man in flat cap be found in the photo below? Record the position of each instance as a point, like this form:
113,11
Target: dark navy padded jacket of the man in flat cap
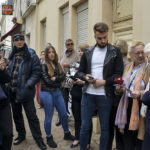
28,75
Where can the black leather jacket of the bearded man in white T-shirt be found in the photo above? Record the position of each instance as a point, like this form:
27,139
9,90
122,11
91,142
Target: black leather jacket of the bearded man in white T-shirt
113,67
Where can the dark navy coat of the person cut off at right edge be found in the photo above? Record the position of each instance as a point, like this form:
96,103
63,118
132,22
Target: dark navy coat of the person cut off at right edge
146,101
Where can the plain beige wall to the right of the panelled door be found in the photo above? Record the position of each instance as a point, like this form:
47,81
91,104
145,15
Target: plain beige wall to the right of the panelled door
141,21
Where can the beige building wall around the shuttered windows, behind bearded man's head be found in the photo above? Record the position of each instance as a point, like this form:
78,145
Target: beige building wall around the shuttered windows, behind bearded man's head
97,11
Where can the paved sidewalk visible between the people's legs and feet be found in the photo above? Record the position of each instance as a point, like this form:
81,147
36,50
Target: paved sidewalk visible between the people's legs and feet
29,143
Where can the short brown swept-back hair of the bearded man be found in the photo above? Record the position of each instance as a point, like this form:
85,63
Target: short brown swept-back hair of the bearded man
100,27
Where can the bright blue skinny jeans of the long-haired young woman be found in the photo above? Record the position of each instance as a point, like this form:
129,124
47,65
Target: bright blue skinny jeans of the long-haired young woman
49,101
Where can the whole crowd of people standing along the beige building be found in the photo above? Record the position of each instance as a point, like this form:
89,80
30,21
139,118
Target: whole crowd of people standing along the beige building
88,77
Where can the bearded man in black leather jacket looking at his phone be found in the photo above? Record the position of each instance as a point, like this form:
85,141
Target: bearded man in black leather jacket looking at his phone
99,66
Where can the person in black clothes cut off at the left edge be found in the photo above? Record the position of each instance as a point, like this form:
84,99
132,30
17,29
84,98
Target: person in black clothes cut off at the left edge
6,131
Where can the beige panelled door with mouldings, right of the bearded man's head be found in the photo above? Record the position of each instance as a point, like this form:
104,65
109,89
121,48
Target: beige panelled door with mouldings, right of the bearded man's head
122,20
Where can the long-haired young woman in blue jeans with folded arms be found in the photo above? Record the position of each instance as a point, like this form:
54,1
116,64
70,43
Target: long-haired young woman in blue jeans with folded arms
50,95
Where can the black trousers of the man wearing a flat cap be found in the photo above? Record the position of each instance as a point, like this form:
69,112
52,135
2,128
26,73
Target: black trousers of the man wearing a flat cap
31,116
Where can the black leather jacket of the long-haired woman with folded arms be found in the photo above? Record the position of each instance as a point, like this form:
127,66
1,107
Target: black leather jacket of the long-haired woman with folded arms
47,84
